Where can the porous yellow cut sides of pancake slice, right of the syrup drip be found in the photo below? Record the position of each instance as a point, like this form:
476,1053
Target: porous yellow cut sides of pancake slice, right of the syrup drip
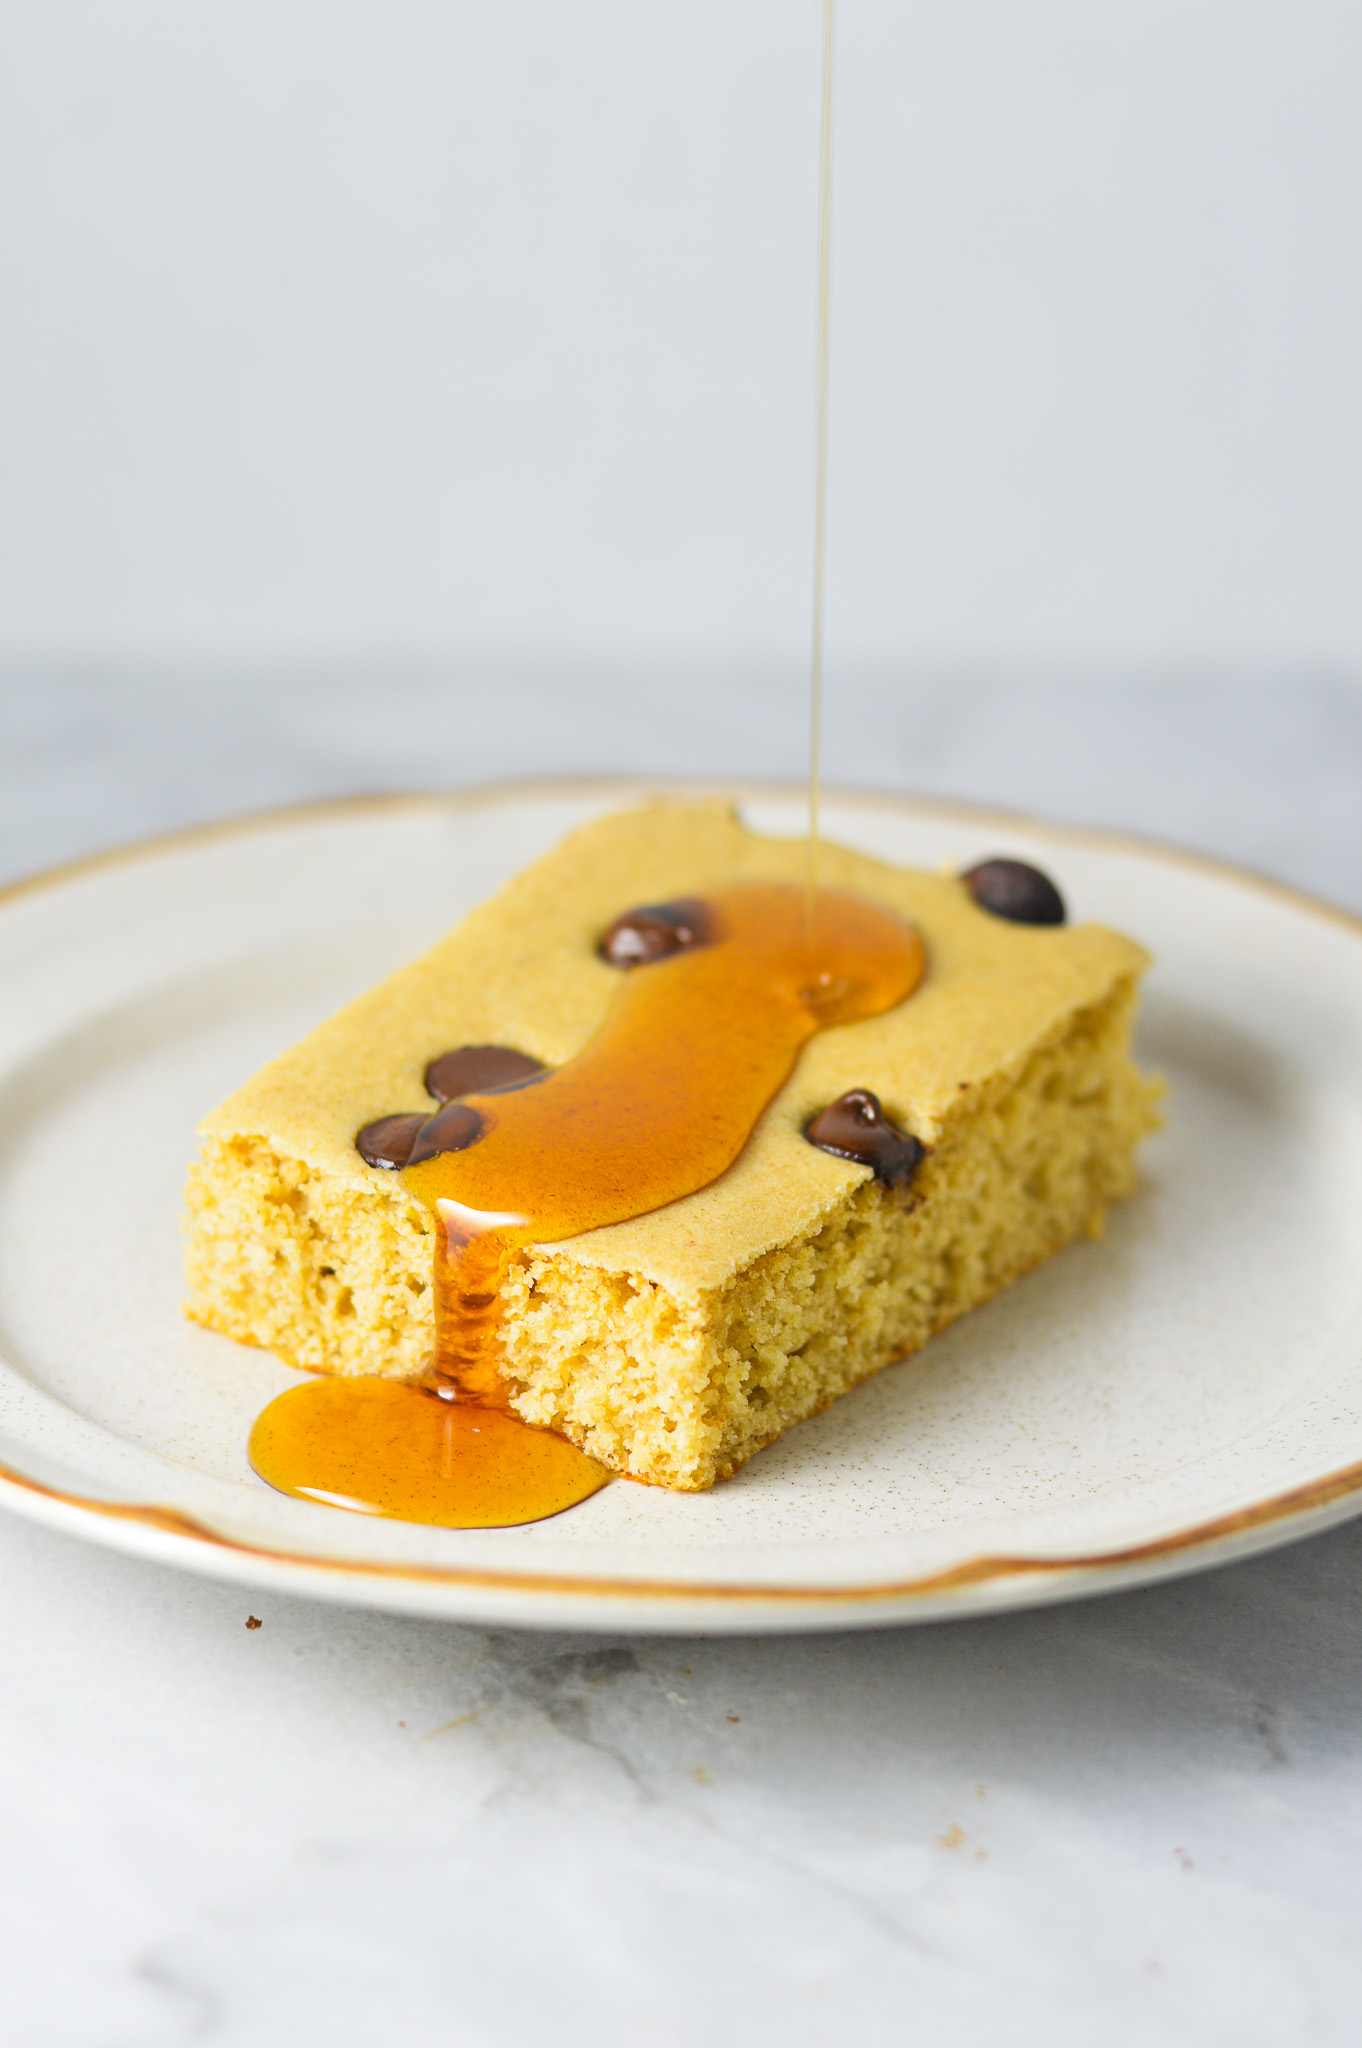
683,1390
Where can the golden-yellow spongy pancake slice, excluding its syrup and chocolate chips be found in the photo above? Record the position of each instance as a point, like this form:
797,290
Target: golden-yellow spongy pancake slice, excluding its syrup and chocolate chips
677,1347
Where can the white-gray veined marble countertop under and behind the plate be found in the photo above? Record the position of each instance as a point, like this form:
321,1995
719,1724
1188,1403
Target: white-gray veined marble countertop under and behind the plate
1130,1822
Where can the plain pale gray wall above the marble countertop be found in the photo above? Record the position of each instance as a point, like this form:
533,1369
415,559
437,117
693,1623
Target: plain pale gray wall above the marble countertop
347,329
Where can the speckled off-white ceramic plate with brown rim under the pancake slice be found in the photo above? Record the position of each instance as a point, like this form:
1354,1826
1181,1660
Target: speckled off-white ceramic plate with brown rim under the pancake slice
1185,1392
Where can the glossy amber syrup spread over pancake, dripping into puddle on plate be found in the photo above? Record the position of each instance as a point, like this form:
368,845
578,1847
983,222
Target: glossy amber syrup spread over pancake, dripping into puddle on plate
658,1105
